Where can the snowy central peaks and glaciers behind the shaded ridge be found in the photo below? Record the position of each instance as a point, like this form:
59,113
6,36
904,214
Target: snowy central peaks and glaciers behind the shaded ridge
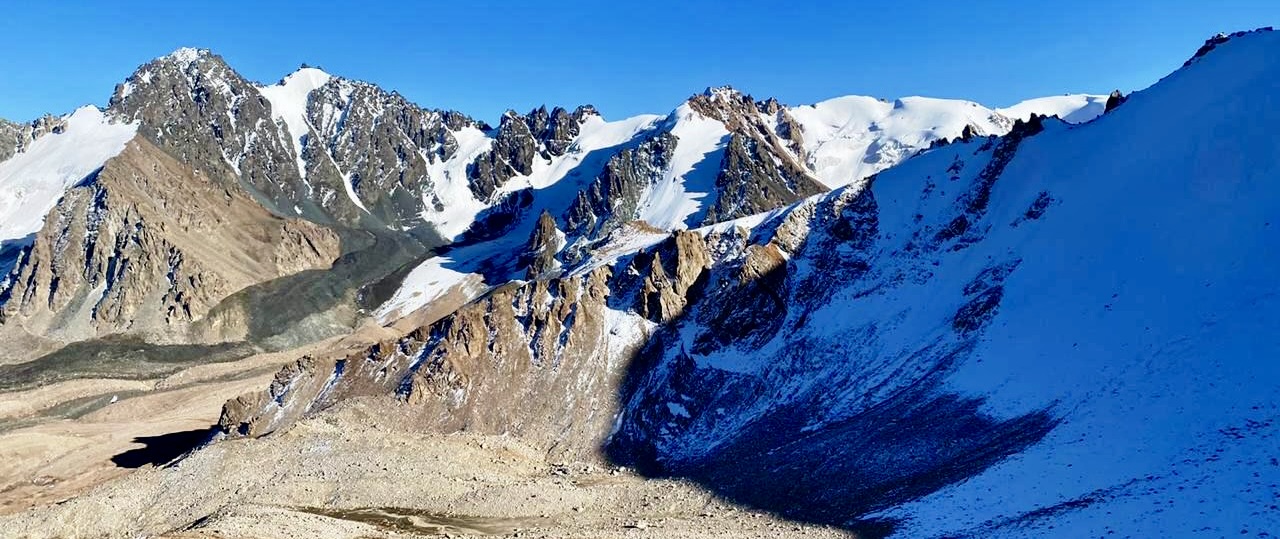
719,157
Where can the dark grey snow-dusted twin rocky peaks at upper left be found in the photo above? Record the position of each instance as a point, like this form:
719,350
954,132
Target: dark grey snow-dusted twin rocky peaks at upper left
196,108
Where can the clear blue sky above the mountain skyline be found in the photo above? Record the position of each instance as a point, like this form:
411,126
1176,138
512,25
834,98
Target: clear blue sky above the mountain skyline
624,57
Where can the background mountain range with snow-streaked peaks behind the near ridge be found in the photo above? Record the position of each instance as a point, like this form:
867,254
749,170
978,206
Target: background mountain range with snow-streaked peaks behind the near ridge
380,171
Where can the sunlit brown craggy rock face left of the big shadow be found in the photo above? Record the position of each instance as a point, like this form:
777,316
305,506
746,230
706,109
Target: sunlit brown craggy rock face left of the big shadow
504,353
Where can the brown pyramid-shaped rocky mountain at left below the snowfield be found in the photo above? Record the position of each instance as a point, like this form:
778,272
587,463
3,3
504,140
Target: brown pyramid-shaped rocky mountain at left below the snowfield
150,245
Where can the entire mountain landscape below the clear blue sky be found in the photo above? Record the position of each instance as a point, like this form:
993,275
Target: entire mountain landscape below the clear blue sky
232,309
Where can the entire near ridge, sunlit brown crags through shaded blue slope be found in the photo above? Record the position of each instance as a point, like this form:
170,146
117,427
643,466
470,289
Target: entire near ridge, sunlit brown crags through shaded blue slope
988,340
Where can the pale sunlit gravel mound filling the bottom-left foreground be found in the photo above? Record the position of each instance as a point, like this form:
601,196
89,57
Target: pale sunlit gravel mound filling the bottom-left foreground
332,477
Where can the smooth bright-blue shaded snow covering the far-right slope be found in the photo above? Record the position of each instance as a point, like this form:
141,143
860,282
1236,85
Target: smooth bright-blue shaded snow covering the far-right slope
1145,313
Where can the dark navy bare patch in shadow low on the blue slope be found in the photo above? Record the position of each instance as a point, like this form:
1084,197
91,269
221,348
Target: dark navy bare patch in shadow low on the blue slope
840,449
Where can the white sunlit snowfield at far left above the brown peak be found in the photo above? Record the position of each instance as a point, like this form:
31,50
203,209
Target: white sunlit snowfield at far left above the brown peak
34,181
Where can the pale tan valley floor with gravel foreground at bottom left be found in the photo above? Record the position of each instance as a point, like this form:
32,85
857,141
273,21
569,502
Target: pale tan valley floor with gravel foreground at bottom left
75,464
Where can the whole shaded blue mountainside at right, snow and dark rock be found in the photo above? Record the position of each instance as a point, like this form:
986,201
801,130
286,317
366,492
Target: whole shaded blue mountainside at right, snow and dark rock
1068,336
